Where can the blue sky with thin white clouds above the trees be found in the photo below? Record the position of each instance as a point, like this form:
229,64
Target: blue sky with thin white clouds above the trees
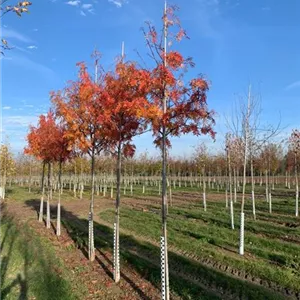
233,43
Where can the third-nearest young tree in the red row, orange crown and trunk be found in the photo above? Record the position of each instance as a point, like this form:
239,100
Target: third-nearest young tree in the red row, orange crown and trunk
82,107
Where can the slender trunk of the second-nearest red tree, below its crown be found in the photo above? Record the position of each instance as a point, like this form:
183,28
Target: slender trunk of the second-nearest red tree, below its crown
117,219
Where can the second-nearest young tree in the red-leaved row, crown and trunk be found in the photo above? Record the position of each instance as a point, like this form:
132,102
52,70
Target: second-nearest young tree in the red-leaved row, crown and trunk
128,107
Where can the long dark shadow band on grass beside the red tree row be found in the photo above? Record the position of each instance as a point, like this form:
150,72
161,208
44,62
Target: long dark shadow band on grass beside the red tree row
188,279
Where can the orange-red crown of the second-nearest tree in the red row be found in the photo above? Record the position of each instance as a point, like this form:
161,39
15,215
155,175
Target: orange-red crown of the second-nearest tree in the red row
128,107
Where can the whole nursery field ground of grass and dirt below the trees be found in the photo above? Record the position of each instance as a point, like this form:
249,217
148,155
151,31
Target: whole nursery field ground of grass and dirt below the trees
203,249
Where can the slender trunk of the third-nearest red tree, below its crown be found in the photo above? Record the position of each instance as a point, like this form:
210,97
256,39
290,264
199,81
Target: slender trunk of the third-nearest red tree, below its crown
91,213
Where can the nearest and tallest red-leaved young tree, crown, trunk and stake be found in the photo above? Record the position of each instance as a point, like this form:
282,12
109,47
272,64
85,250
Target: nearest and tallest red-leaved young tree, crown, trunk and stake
182,108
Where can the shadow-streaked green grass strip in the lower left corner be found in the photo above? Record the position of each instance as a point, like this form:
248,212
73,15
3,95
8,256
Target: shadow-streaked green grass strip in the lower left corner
35,265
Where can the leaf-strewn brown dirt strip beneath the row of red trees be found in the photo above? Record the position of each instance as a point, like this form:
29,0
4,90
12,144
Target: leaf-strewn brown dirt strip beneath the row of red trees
97,275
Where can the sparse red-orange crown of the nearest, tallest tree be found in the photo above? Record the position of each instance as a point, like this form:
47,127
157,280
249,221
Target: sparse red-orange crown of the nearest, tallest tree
187,109
